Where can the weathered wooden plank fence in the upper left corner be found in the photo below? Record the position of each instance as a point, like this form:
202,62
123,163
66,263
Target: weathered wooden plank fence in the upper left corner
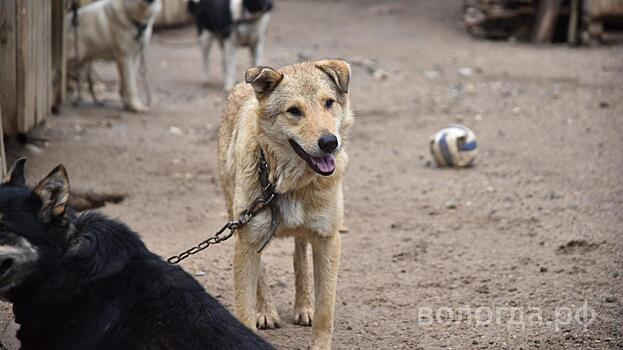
31,61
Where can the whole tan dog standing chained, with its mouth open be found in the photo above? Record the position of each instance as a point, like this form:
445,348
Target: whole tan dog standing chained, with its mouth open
298,116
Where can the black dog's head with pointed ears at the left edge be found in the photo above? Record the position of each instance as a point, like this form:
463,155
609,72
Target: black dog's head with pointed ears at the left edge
33,226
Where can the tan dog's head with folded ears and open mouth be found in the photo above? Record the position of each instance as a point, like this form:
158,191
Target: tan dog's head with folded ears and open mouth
304,109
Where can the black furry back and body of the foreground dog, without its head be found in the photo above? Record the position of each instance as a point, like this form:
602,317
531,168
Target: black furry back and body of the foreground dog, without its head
109,292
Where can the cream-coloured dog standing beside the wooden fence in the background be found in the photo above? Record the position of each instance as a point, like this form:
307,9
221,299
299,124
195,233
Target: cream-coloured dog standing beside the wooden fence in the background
113,30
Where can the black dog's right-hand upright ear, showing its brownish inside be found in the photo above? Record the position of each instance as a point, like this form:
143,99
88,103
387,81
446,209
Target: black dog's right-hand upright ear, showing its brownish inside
54,193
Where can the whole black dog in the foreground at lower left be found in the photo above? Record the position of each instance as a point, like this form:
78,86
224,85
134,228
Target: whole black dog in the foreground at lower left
87,282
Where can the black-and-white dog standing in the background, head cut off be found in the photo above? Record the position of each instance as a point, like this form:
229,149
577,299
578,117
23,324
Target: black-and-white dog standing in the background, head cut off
234,23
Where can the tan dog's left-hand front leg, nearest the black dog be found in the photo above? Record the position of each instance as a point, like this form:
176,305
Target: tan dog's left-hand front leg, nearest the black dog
246,273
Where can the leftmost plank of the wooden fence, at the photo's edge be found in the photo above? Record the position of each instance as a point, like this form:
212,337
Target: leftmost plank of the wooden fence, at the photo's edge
8,78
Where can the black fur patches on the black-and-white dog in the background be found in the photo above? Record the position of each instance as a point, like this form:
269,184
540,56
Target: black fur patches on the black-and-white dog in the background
216,17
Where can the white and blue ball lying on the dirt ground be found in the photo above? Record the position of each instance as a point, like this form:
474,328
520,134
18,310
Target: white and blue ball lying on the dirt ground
454,146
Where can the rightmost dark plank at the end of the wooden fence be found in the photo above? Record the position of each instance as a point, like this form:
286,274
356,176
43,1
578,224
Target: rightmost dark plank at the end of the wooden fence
59,68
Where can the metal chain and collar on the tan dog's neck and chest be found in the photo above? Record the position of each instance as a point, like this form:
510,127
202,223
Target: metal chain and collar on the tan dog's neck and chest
266,201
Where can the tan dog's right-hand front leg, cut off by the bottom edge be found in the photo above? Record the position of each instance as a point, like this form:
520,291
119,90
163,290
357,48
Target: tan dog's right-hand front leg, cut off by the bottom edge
326,253
